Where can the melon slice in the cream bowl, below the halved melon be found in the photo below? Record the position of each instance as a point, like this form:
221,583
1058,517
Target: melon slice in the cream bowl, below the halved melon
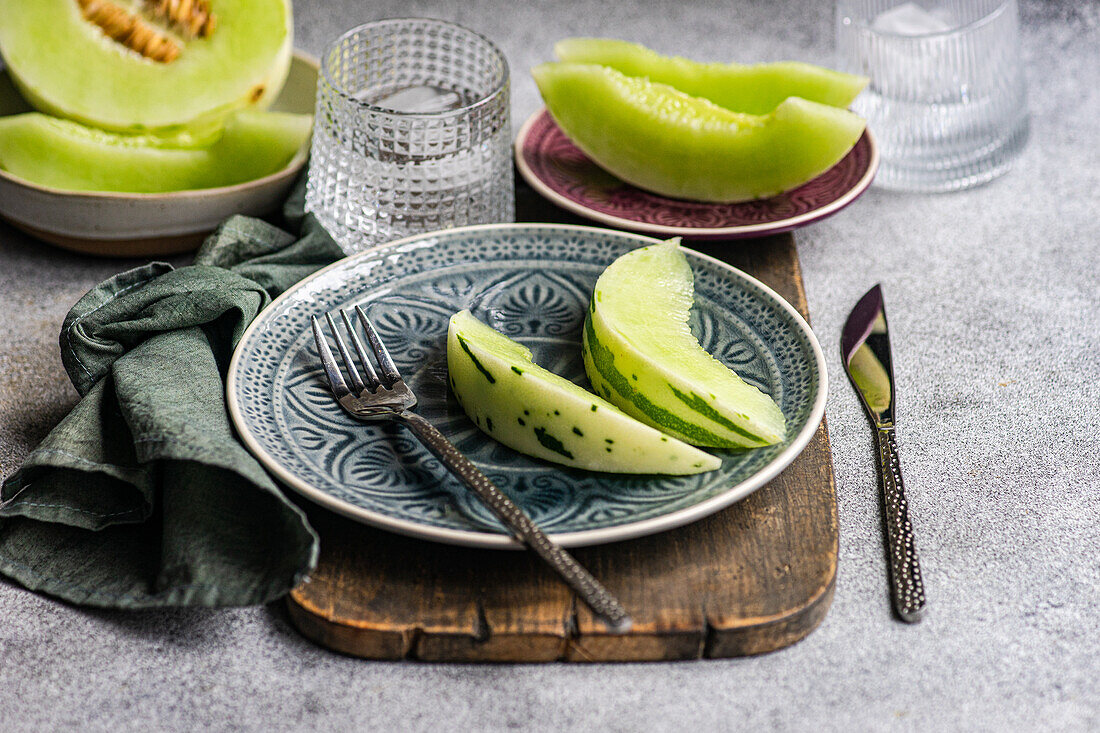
64,155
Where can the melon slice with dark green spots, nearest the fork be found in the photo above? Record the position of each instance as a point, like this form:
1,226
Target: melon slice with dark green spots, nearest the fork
542,414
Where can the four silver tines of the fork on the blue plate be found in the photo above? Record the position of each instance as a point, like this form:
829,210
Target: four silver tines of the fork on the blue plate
372,382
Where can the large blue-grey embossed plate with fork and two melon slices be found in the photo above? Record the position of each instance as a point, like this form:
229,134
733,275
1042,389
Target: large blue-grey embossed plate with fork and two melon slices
532,282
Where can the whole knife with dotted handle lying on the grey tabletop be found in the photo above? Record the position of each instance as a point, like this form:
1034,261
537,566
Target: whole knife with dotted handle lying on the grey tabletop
865,347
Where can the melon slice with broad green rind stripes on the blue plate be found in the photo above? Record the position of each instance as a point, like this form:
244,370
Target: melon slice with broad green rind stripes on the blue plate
641,355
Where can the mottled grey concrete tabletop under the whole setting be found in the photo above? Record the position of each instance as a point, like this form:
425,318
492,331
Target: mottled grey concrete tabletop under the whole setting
996,316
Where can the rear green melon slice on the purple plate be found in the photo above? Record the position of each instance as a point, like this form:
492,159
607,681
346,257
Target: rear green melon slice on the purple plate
753,89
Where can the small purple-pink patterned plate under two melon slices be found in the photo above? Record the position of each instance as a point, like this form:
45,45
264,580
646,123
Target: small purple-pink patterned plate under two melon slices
555,168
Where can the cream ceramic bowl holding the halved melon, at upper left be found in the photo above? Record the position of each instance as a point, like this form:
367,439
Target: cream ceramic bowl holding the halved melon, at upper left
149,225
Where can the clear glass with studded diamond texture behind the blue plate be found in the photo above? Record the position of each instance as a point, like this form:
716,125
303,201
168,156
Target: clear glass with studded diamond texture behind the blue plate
412,134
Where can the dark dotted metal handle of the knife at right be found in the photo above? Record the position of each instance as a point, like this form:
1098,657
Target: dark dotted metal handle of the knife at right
906,584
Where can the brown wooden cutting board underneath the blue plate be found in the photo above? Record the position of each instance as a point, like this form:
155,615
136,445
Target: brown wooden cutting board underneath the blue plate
753,578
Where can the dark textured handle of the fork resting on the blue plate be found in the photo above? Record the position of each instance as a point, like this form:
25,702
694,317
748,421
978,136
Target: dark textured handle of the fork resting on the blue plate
607,608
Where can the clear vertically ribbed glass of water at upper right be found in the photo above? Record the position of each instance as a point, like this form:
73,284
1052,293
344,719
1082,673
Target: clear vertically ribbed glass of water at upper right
948,102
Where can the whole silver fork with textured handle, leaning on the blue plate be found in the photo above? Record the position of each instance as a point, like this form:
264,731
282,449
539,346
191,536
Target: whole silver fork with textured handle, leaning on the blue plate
389,398
